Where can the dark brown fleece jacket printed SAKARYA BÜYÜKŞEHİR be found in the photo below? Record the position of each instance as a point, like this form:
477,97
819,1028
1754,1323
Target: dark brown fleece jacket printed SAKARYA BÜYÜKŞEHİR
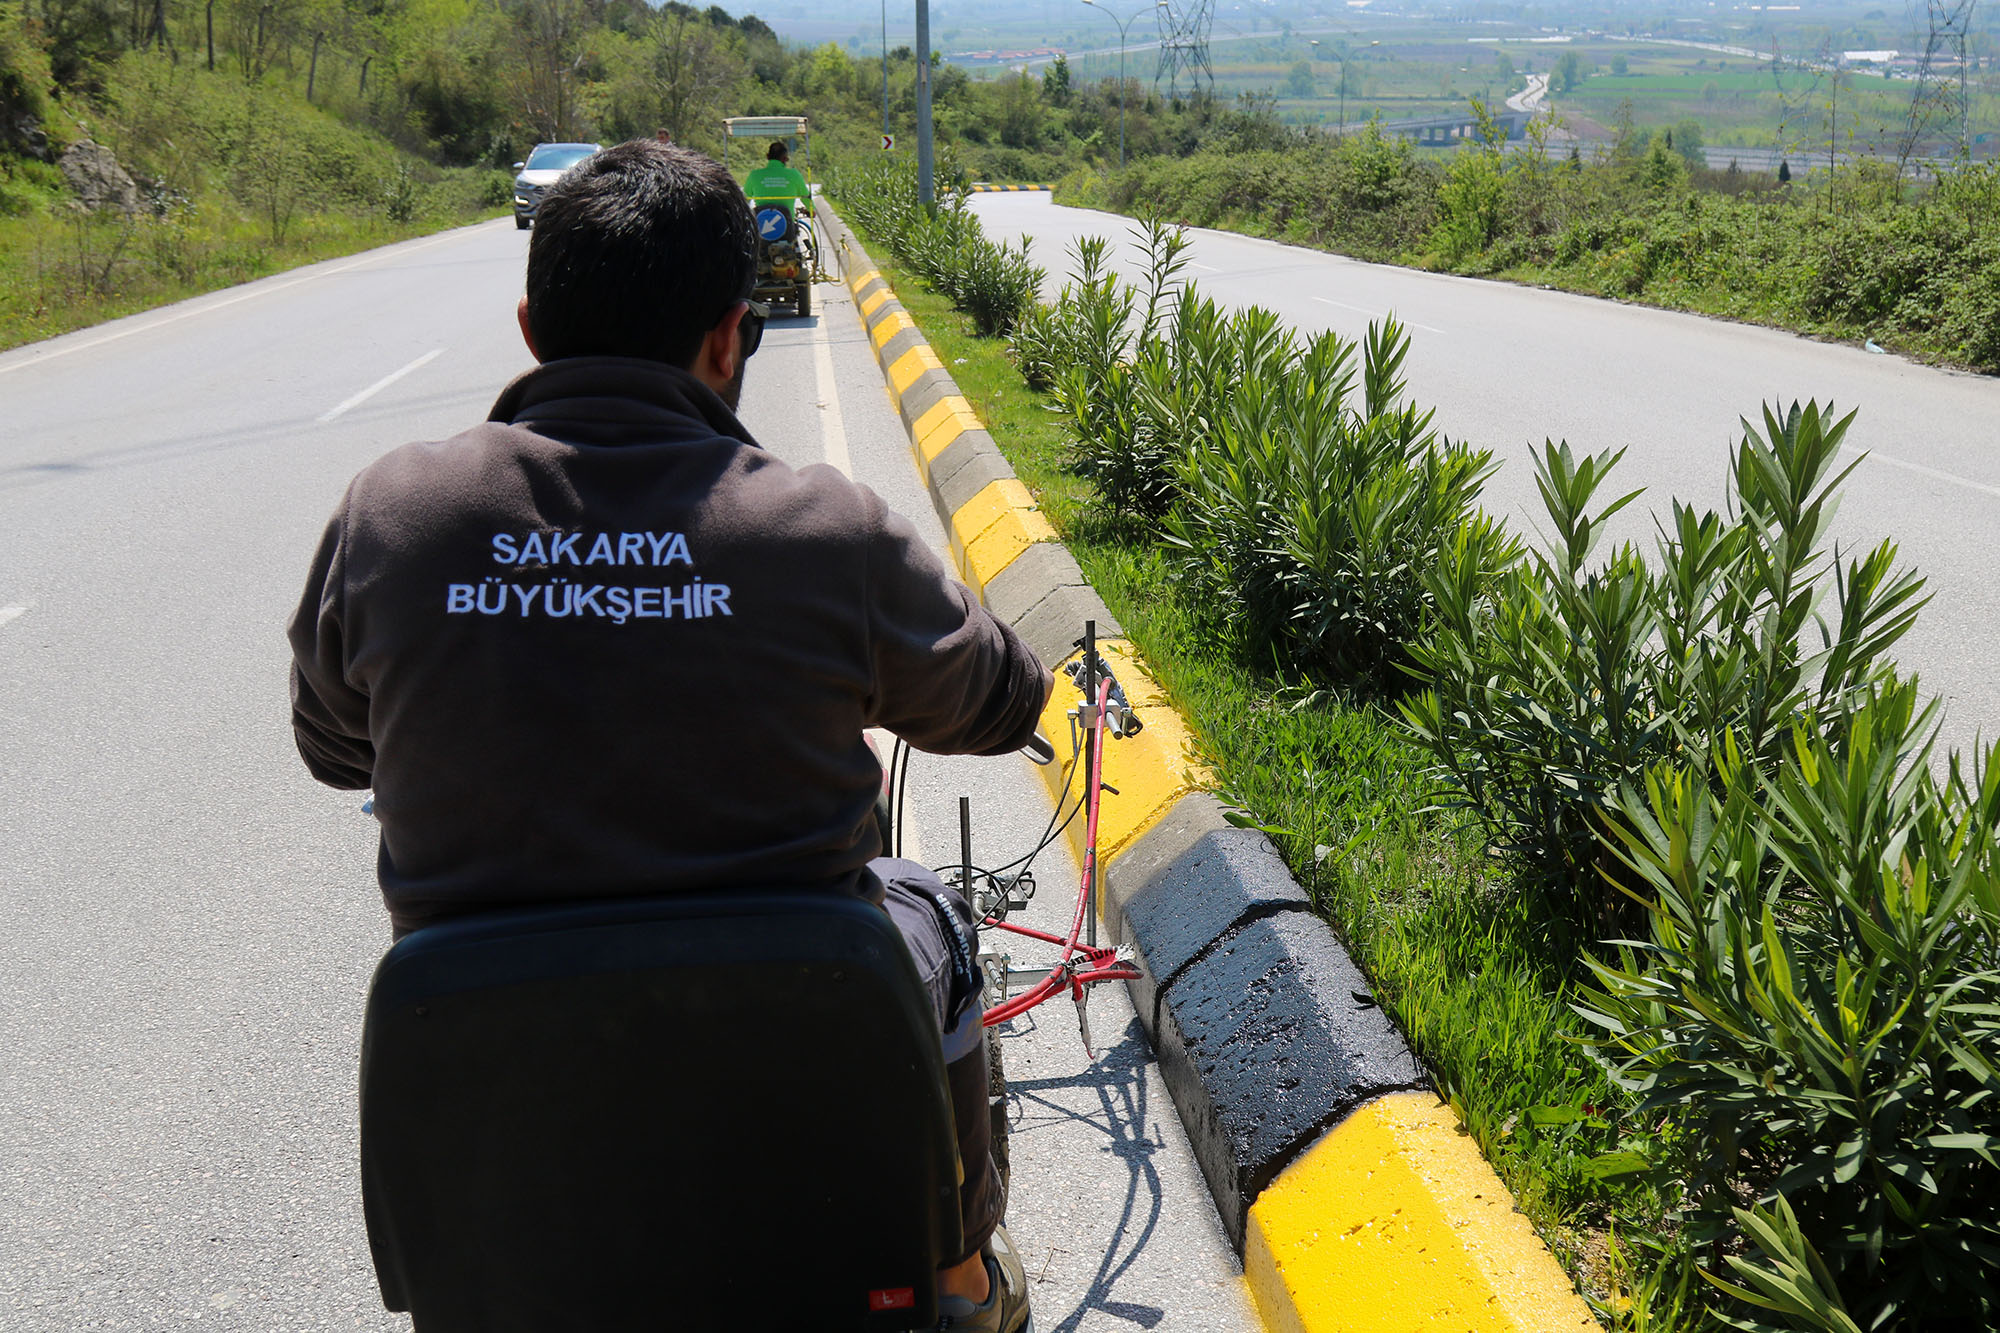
607,645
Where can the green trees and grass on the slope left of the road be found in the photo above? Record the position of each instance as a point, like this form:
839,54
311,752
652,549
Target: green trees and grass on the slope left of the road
253,135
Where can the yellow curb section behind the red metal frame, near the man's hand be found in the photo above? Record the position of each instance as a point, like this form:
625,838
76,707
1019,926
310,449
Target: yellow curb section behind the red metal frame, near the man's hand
1151,770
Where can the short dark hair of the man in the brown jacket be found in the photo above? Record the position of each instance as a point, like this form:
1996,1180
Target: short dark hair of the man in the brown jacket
639,251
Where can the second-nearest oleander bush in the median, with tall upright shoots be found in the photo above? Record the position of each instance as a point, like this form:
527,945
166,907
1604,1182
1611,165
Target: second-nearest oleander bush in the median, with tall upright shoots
1563,682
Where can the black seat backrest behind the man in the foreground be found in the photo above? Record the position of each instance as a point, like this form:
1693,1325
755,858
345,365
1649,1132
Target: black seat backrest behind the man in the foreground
657,1114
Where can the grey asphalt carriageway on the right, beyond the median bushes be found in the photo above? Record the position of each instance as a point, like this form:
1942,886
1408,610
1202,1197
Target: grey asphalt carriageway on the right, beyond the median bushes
1509,367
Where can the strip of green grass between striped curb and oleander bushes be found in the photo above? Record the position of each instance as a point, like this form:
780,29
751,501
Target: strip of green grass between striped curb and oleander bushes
1345,796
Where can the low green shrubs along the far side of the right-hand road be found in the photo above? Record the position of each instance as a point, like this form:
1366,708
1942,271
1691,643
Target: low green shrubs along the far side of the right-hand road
1855,255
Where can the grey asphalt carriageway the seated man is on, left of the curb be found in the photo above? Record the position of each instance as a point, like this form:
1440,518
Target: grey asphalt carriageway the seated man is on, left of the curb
189,924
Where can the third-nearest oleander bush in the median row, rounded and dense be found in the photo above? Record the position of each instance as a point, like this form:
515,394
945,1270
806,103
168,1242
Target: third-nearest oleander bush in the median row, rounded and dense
1315,507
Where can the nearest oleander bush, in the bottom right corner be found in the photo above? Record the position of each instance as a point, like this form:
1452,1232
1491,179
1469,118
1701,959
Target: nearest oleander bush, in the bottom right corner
1821,1008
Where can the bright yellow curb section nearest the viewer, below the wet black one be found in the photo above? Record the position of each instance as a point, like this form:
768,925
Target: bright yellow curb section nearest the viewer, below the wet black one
1395,1224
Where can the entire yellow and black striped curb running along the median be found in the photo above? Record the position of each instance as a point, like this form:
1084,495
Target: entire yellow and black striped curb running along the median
1353,1196
